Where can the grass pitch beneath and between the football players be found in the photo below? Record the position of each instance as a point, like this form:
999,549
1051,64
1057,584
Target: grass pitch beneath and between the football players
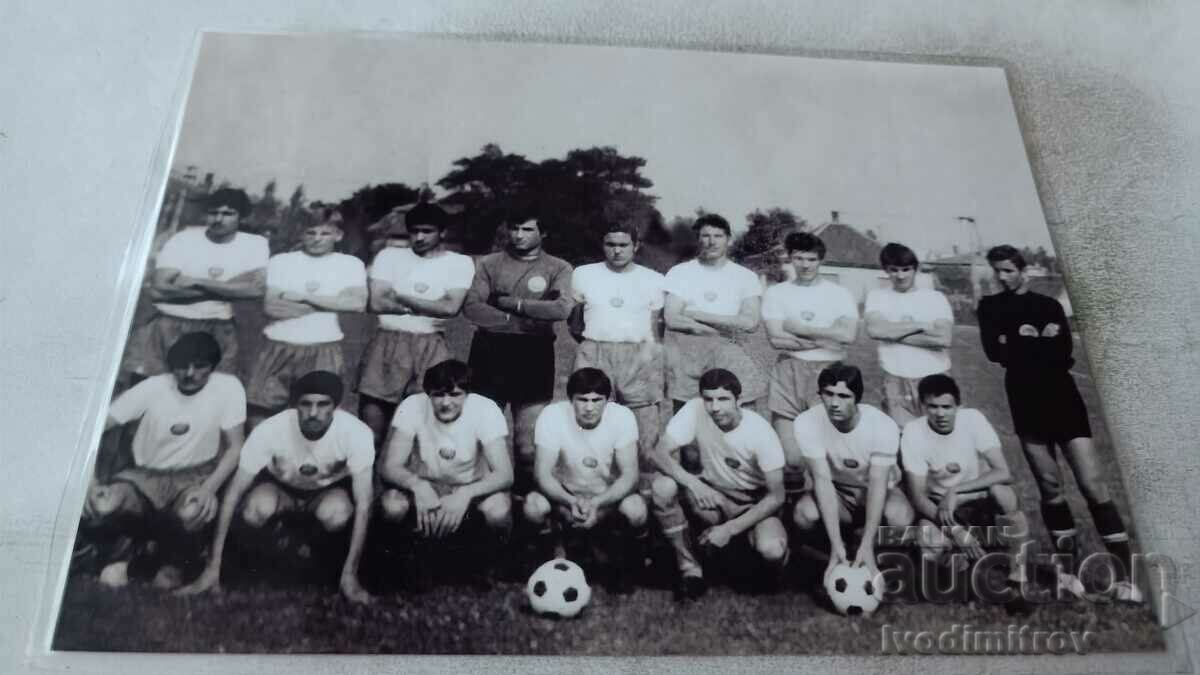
261,618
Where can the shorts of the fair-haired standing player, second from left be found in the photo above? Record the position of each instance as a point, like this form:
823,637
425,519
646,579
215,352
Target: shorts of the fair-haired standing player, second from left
280,365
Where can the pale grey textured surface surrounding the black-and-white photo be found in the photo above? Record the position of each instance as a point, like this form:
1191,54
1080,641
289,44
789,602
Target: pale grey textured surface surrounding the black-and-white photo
1108,95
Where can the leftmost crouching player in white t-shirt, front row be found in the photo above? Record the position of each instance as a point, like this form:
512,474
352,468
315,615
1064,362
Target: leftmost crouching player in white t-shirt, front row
178,465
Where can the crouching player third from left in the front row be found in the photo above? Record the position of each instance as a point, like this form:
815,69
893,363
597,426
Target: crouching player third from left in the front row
447,480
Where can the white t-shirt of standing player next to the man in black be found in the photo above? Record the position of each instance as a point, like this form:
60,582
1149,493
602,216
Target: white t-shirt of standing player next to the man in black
919,304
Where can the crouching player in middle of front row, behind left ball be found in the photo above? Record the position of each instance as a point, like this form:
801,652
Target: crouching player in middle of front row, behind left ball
586,468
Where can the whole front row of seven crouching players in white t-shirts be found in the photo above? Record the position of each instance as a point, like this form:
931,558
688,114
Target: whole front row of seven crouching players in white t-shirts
447,459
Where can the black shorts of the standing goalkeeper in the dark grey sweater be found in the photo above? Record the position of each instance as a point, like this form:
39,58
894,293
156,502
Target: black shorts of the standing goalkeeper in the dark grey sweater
513,368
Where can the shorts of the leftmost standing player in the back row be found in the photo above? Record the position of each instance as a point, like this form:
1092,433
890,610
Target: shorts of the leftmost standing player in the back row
147,353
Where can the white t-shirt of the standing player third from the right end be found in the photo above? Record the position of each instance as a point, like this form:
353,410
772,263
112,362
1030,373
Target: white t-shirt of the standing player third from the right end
820,306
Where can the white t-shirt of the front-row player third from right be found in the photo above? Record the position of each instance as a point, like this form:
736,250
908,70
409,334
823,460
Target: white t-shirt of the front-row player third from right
731,461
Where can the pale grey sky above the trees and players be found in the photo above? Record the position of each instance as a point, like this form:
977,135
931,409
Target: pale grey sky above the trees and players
903,150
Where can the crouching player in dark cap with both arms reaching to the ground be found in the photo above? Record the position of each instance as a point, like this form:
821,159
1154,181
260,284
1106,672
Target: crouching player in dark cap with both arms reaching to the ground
310,452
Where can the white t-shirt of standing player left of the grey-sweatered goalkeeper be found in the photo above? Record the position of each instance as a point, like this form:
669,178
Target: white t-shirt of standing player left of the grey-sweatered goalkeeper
428,278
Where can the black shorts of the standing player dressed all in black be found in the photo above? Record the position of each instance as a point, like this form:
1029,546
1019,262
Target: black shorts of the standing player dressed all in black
1047,407
